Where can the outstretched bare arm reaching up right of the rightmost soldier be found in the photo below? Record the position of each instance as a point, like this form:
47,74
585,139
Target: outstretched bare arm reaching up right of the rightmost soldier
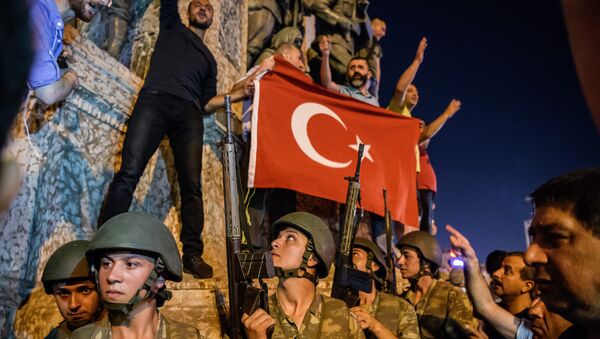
479,293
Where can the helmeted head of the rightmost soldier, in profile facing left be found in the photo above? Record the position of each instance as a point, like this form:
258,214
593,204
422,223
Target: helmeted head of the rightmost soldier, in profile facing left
420,255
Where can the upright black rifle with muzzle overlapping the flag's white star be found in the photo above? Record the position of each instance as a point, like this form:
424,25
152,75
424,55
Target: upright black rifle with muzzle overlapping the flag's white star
347,280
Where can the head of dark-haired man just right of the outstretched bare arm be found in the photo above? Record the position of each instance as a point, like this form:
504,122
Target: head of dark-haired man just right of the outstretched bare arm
514,278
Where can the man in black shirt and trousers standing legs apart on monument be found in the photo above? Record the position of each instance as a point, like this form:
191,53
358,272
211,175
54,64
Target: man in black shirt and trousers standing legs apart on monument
181,80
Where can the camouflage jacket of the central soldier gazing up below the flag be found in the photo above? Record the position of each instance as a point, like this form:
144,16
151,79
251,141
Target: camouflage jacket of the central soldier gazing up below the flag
326,318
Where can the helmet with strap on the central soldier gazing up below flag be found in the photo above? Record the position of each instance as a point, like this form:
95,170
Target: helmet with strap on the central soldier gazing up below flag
316,229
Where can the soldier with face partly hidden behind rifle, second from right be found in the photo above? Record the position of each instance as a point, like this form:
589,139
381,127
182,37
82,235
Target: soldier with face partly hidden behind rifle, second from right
381,315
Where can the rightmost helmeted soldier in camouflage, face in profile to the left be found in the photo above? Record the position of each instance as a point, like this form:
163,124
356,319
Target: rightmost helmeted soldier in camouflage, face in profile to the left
443,310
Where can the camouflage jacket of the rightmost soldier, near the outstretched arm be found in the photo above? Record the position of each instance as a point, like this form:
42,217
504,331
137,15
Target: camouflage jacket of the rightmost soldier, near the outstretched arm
443,312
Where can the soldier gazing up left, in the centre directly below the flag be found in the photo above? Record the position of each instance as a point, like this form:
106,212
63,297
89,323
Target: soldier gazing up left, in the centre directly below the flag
303,251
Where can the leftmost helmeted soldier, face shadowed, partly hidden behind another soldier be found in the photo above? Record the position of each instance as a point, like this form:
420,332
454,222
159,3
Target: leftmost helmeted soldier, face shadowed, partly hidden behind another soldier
67,278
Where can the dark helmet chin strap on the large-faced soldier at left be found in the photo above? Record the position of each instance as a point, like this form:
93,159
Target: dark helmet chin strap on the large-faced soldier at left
125,309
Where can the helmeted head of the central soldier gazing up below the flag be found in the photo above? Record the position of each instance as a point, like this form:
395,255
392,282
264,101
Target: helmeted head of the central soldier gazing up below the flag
302,244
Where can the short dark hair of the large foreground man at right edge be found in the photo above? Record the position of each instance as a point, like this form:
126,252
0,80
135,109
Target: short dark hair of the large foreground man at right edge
578,191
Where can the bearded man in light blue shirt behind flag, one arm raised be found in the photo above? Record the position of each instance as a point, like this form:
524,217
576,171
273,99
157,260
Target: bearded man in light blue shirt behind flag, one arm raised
357,73
